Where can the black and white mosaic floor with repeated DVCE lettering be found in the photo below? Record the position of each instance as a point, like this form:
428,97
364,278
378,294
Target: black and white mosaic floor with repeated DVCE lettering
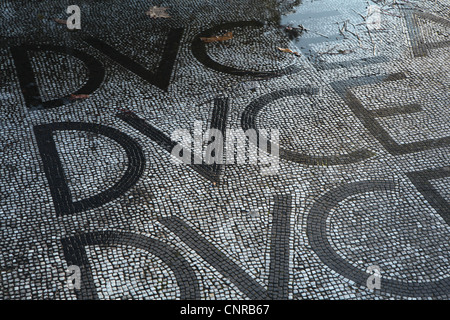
87,178
